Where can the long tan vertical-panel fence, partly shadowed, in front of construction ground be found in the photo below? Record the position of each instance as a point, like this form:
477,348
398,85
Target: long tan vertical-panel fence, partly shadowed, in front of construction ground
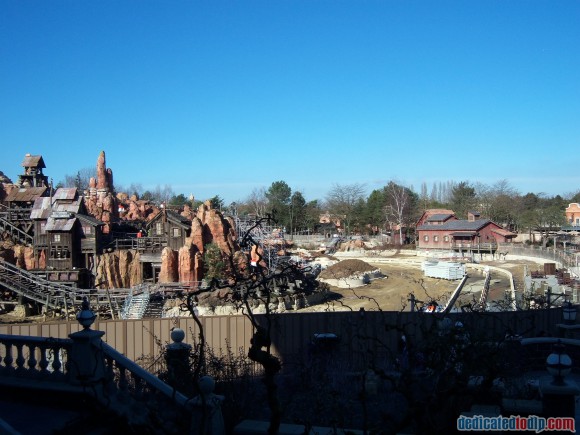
361,335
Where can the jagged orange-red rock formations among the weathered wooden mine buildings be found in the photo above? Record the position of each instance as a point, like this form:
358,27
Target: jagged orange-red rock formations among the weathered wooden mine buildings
121,268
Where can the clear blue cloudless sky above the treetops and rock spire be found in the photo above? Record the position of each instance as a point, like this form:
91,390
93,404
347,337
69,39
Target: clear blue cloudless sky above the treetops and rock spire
221,97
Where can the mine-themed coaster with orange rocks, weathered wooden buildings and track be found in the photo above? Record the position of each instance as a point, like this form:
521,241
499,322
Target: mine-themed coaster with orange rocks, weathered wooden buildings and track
61,246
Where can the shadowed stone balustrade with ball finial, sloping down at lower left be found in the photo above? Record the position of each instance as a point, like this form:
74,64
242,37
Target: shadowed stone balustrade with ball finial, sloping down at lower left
85,364
